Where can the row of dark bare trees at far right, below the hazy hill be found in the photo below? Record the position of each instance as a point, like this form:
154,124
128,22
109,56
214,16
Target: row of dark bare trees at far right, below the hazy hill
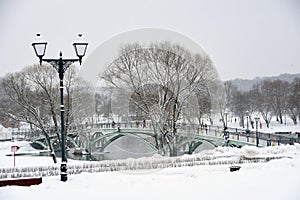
269,98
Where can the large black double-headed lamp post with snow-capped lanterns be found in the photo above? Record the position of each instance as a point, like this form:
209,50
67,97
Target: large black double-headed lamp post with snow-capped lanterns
61,65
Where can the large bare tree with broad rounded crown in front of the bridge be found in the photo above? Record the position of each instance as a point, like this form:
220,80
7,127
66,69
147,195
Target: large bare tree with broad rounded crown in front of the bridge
159,82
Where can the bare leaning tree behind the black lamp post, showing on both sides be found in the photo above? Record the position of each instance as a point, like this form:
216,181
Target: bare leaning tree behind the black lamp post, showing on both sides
32,96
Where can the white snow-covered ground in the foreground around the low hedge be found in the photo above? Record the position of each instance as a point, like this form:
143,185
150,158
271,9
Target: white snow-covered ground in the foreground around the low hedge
276,179
